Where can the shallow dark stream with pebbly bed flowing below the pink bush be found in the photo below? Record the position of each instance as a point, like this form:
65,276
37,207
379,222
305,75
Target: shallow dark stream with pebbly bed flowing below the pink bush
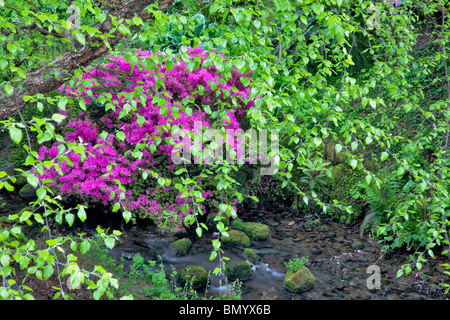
339,259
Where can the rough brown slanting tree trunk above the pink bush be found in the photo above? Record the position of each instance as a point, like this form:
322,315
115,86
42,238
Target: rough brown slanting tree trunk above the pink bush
64,66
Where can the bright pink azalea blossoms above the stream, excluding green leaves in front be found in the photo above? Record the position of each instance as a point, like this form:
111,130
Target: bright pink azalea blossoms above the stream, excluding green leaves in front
95,178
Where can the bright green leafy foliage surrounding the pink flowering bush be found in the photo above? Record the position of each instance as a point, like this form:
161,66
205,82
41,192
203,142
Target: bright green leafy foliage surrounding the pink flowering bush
322,75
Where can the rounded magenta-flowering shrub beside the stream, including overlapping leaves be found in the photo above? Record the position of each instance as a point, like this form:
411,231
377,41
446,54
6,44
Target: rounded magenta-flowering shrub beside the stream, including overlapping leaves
122,144
